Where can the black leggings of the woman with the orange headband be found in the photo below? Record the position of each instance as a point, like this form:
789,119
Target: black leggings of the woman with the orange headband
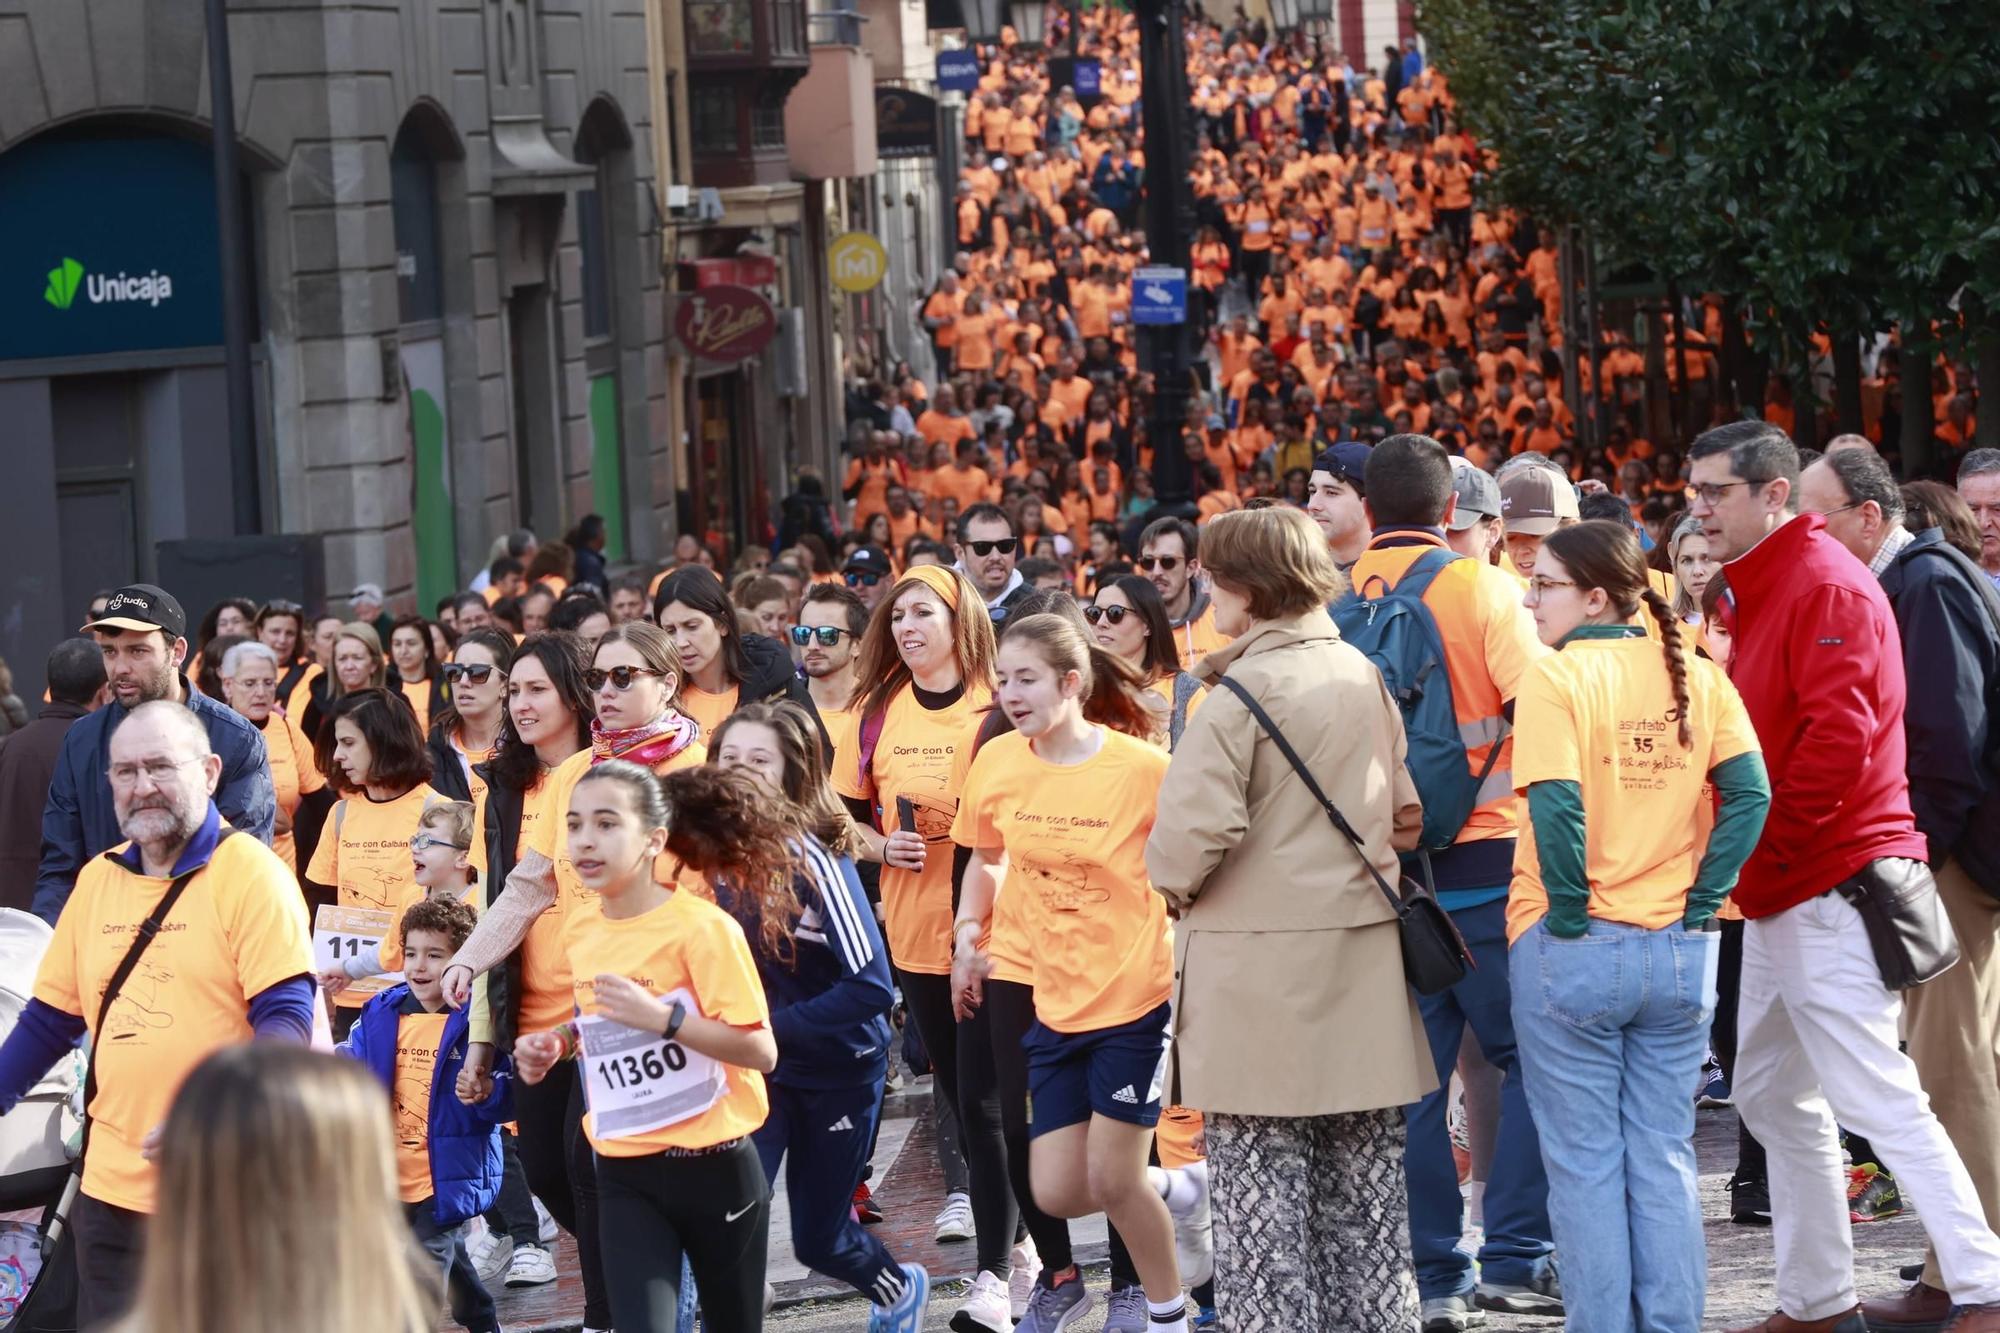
995,1218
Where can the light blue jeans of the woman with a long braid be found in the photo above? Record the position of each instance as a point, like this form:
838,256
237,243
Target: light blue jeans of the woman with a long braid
1613,1030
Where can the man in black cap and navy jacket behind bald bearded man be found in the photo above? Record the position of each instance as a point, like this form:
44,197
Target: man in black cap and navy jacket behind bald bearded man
145,639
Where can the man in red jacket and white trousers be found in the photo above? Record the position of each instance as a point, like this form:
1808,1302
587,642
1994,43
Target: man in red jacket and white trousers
1819,665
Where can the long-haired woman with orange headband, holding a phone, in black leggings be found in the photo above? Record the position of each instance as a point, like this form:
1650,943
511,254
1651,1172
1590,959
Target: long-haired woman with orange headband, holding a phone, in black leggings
925,678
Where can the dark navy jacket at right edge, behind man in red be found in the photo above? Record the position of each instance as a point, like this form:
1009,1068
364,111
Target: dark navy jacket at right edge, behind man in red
1951,653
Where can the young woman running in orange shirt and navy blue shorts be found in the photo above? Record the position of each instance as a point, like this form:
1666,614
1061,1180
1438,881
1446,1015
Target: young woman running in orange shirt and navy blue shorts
1063,810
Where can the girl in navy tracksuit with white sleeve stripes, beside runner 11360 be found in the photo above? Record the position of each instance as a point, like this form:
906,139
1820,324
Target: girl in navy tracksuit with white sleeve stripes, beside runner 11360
825,976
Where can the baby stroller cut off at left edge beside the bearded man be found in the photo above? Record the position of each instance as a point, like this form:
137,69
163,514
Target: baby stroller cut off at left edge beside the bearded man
39,1142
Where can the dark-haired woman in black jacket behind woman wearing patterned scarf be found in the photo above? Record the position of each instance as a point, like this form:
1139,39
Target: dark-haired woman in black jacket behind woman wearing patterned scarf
723,668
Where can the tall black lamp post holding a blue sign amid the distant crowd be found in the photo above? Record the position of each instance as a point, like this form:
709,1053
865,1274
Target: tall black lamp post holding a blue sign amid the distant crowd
1169,235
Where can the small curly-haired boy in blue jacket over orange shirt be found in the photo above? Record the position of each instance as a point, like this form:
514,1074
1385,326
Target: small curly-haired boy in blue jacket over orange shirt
447,1152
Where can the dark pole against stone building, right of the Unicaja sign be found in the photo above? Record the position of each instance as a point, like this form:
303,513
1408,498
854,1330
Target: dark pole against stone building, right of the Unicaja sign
249,509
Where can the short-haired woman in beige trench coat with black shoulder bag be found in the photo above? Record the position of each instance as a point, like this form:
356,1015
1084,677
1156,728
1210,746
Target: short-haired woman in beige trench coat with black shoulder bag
1297,1034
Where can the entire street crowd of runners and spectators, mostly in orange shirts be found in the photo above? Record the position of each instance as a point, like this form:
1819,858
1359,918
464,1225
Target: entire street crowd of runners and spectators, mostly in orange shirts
621,890
